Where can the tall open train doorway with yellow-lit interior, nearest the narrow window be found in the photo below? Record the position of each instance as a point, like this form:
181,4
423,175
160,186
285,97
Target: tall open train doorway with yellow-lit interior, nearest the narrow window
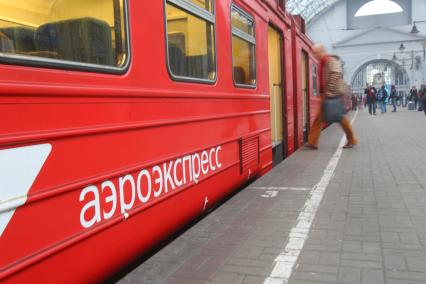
276,94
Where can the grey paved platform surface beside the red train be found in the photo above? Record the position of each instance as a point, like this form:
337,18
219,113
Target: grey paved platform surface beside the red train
370,226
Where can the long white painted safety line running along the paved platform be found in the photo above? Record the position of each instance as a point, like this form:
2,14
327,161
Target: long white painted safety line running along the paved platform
286,260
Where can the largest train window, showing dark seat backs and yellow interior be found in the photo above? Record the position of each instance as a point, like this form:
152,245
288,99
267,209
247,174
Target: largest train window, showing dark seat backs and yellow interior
81,31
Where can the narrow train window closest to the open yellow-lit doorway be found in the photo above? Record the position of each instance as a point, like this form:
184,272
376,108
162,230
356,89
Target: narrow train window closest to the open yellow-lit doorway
243,48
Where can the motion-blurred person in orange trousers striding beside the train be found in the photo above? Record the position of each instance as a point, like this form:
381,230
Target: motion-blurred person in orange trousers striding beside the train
331,83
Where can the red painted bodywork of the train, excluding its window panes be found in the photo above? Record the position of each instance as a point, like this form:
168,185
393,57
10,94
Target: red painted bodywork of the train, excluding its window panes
99,167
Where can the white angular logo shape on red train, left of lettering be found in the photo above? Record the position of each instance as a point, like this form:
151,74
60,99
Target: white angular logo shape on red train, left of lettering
19,168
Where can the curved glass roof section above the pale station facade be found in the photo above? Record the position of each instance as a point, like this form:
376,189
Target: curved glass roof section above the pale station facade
308,9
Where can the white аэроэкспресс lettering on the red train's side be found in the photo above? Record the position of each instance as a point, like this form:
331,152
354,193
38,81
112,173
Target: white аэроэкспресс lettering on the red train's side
102,201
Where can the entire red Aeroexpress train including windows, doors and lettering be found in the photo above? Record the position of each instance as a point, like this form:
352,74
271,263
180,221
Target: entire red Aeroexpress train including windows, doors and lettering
122,121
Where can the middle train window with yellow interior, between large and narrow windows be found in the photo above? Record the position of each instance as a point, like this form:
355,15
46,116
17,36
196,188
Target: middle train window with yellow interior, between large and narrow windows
190,39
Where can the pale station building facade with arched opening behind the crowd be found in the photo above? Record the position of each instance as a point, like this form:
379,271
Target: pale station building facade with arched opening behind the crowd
378,49
